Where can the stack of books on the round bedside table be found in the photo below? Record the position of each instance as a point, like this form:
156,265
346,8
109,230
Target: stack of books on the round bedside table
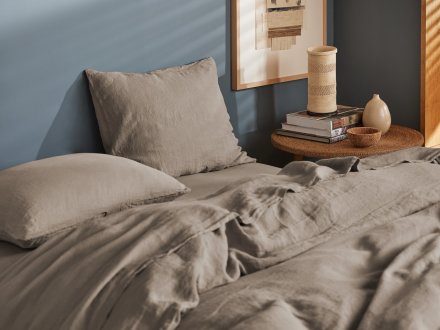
328,129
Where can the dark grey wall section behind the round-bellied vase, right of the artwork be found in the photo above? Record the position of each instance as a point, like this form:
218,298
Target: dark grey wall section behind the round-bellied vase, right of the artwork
379,52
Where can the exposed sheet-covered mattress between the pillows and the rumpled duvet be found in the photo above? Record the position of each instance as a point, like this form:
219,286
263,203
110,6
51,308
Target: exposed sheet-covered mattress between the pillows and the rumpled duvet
201,185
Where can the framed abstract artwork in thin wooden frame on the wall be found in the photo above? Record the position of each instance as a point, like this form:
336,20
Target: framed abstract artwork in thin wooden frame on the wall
270,39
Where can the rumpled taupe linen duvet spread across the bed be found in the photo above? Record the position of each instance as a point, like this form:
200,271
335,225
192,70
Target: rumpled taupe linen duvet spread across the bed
341,244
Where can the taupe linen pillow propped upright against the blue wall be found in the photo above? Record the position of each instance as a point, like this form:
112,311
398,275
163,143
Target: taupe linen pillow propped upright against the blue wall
174,120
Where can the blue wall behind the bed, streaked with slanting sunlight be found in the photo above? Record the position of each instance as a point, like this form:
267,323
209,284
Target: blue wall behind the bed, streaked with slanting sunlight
45,106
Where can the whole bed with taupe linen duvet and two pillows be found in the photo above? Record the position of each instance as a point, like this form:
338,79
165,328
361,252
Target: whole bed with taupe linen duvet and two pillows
214,240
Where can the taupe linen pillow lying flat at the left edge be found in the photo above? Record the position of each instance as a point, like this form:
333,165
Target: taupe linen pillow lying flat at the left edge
40,198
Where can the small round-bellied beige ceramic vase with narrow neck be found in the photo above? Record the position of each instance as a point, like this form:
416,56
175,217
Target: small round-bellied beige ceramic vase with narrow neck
377,114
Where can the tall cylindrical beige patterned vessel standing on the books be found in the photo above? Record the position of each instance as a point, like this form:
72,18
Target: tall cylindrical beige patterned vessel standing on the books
322,80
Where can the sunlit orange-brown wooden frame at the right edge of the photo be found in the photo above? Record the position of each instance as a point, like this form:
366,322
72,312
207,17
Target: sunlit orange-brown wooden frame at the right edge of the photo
430,72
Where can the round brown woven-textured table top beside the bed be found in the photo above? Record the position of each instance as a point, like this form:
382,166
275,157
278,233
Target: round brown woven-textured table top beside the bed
398,137
